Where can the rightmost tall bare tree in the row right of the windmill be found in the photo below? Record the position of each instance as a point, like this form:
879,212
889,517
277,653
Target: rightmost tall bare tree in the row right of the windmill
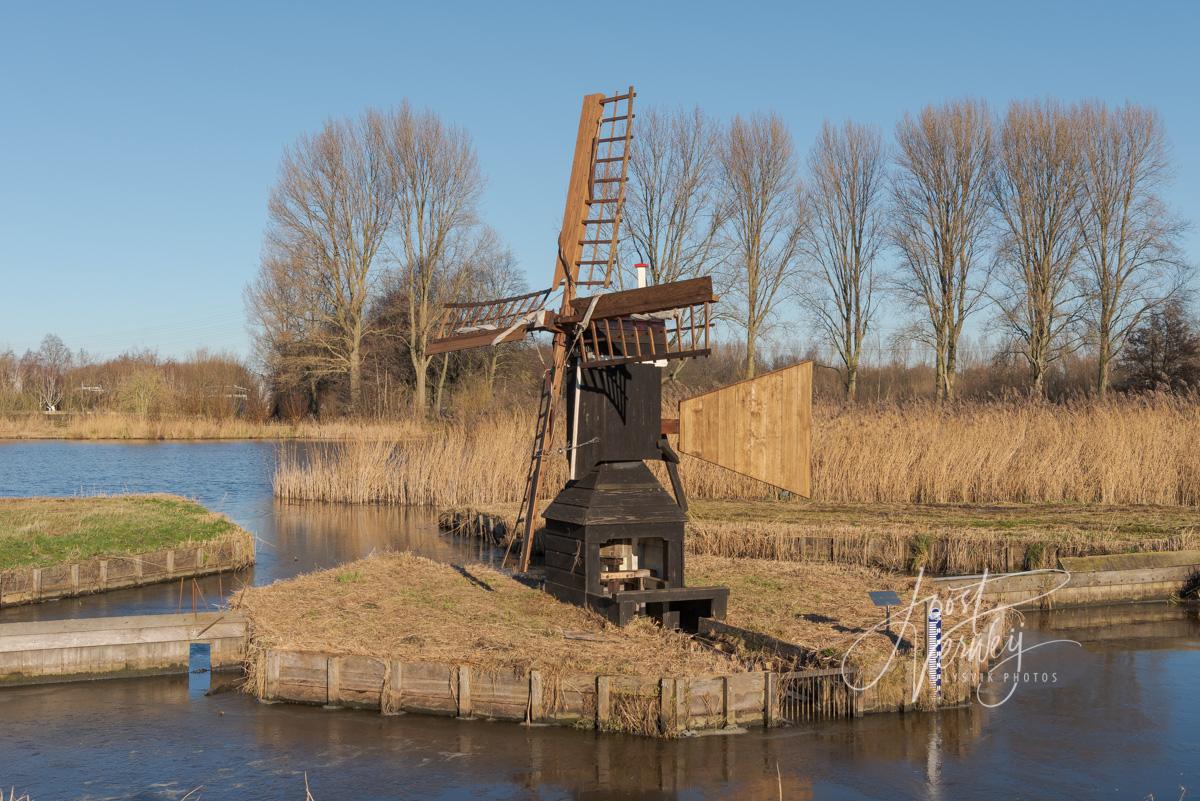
1130,239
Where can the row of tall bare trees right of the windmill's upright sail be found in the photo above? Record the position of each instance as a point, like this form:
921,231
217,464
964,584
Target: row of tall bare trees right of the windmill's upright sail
1051,216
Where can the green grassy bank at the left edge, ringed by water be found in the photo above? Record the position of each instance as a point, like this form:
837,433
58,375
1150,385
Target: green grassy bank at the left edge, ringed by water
45,532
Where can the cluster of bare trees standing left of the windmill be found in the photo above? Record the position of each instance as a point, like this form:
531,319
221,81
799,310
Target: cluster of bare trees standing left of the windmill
385,207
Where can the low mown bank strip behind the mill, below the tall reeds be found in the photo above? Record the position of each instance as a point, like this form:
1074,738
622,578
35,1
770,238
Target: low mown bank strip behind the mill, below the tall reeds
941,539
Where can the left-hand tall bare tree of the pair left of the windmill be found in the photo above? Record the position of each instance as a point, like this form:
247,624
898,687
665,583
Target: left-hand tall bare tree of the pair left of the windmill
329,214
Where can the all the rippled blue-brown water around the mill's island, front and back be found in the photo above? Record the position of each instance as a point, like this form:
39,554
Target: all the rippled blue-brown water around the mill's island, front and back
1119,720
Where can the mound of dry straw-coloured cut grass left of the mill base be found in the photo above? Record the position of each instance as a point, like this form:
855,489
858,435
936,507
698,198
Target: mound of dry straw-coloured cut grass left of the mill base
403,607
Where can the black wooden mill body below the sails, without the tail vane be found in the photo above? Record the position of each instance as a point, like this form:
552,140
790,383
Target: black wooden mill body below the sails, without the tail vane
615,538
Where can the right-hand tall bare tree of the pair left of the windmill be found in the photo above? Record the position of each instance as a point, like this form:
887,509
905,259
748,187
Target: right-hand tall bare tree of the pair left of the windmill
437,183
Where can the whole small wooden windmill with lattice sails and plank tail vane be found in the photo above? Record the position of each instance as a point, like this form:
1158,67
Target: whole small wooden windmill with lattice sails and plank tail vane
614,538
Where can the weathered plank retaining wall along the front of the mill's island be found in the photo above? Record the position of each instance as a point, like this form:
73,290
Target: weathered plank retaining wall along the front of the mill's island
647,706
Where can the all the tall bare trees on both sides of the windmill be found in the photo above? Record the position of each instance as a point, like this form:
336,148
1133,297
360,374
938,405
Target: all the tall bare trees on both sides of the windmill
1051,218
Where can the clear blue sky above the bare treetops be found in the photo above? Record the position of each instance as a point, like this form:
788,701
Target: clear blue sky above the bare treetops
139,142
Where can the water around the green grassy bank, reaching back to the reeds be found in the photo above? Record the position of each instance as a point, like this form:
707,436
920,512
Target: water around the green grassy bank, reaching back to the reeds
229,478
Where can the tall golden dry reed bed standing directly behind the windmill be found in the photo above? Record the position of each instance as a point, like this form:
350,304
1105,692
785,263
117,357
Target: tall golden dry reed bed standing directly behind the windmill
1119,453
